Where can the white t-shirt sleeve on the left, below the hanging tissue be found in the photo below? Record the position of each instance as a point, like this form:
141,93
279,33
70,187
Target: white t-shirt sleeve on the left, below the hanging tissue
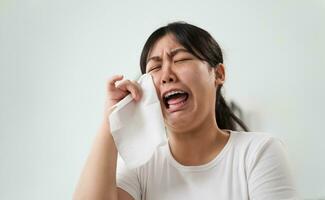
128,180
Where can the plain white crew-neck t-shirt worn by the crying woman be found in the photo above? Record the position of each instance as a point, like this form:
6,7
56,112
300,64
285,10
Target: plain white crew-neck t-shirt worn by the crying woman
251,166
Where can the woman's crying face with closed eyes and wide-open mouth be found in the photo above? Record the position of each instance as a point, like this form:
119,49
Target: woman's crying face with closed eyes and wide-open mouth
186,86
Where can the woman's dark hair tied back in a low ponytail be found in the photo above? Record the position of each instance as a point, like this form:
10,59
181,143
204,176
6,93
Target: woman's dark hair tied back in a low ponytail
202,45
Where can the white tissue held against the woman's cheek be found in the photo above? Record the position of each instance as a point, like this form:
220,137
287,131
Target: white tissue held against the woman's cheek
138,127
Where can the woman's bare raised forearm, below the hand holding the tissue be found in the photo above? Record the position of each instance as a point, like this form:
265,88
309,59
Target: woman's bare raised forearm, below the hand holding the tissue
98,178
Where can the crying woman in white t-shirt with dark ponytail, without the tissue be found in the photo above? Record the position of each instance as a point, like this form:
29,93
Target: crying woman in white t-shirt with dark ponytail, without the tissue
206,158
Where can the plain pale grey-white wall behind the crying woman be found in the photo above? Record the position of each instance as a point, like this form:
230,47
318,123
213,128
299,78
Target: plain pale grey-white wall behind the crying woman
55,58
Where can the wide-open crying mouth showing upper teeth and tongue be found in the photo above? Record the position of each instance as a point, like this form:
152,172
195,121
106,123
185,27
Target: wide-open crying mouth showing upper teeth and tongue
175,99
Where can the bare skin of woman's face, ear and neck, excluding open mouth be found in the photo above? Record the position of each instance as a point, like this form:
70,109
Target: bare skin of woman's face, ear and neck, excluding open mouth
194,136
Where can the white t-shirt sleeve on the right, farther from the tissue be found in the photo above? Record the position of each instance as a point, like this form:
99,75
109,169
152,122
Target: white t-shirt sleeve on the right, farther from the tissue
269,175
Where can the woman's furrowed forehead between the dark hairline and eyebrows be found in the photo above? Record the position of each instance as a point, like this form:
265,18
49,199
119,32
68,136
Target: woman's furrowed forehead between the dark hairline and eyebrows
166,43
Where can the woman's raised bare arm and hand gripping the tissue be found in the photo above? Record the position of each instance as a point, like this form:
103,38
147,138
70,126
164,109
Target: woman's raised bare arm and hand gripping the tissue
98,178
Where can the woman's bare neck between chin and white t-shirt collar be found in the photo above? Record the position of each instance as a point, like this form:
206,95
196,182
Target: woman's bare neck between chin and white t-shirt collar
199,145
